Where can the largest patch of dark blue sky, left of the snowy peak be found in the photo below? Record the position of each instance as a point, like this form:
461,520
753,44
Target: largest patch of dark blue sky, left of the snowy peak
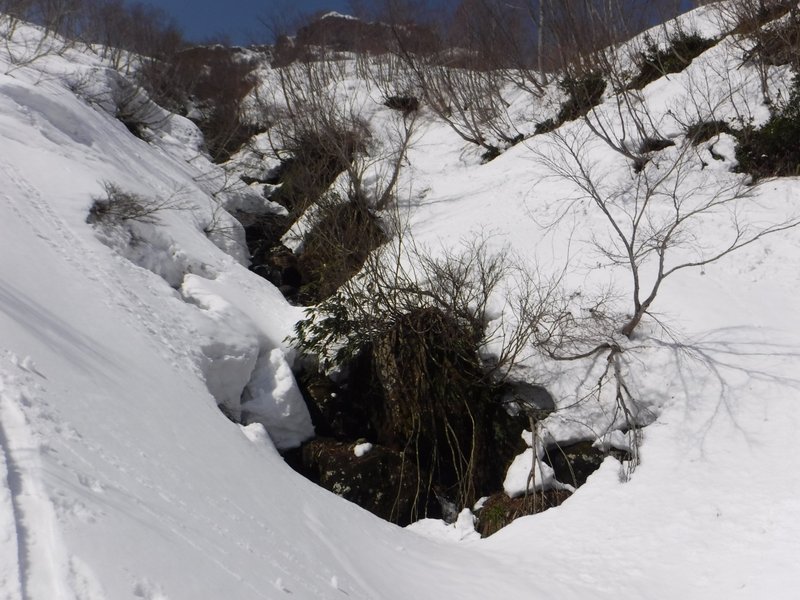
239,20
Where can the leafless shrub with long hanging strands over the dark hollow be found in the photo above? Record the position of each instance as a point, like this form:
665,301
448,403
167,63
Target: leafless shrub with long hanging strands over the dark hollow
424,324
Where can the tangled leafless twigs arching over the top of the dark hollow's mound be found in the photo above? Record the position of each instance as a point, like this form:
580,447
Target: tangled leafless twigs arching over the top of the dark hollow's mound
402,278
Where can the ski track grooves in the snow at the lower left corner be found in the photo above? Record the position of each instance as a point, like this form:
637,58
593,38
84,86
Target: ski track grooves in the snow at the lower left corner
34,561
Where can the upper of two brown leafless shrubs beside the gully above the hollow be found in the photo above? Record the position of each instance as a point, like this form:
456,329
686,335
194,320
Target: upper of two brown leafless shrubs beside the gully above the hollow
320,132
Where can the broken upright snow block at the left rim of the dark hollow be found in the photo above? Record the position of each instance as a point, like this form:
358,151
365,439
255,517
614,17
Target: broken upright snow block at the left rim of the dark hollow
273,399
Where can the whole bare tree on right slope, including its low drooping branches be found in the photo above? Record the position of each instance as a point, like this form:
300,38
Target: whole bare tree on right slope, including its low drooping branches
656,216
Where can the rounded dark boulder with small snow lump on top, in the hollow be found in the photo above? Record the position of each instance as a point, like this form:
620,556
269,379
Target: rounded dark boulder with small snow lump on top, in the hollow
383,481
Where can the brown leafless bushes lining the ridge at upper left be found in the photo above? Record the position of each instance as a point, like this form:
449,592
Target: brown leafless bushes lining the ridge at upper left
146,46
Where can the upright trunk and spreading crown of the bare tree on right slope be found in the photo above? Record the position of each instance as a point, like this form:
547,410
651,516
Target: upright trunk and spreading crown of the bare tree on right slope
656,215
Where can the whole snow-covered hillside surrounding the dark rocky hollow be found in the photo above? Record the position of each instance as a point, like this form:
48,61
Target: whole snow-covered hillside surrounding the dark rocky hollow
122,332
